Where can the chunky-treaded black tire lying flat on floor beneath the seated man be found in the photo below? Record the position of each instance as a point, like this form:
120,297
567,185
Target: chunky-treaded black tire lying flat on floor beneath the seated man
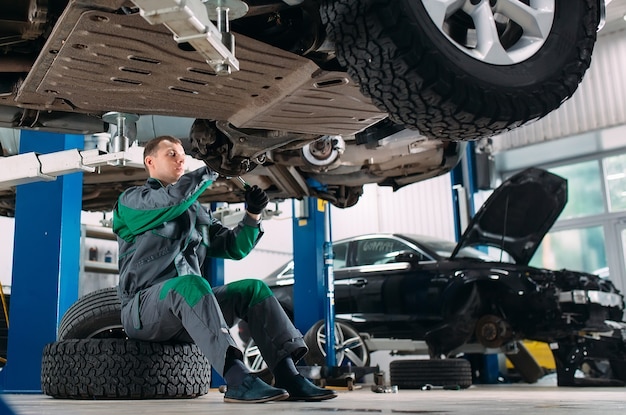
123,369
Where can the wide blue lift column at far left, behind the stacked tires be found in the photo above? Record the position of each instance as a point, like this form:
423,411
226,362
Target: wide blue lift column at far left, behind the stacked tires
45,270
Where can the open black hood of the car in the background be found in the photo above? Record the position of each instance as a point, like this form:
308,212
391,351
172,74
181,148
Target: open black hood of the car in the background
518,214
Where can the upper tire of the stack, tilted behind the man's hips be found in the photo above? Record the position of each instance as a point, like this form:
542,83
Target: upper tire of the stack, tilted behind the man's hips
95,315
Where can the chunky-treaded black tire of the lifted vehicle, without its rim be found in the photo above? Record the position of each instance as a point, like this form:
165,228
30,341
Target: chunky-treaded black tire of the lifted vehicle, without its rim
411,70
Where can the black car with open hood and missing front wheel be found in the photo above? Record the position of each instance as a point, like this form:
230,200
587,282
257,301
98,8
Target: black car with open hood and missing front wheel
458,298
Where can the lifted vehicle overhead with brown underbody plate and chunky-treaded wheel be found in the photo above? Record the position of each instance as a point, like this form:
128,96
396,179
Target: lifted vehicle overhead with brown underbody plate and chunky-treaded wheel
306,97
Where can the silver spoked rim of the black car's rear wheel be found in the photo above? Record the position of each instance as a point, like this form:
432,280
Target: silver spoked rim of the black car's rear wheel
349,346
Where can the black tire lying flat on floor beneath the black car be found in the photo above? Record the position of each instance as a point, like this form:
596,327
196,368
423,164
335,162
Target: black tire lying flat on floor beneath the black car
416,374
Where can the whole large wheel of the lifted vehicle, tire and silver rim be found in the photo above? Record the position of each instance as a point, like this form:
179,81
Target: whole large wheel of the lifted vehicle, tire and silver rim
464,70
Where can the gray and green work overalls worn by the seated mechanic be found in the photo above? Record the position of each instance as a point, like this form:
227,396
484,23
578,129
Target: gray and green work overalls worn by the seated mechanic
164,236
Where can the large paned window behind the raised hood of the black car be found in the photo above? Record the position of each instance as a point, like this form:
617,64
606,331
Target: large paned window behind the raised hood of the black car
590,233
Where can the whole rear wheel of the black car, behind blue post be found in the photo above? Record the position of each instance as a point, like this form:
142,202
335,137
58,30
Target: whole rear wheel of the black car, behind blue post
349,346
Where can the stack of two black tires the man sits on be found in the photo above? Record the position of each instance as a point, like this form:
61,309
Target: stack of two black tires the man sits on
93,359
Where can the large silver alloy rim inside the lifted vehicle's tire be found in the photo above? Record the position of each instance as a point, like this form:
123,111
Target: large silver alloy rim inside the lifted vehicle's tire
498,32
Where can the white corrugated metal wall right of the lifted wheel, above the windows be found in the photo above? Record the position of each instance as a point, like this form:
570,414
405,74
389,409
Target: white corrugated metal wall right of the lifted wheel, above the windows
598,103
